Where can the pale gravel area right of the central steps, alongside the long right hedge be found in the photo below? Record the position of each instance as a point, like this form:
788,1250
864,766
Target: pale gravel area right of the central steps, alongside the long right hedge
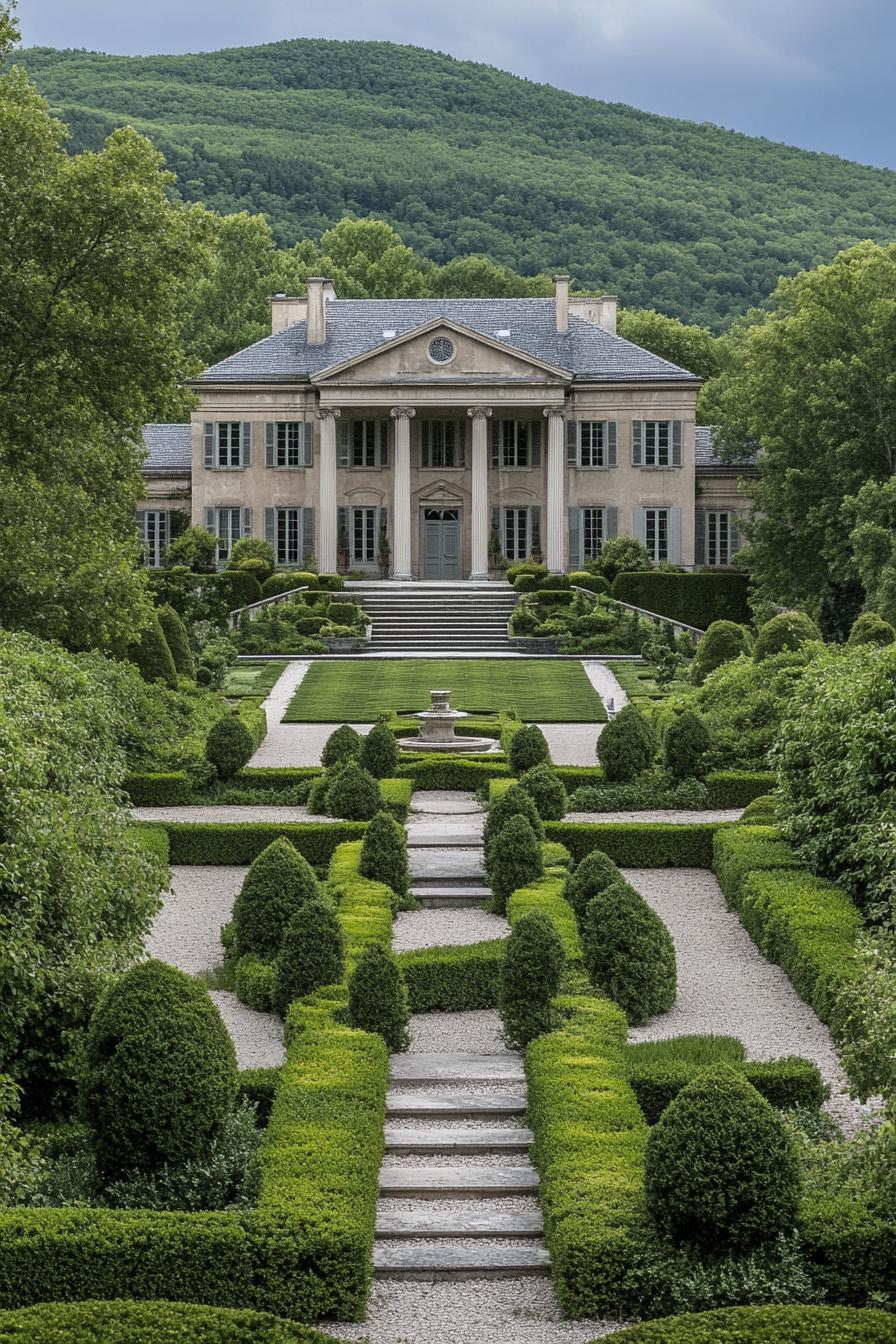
727,987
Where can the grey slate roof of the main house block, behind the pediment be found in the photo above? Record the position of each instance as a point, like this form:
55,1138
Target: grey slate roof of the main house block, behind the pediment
355,326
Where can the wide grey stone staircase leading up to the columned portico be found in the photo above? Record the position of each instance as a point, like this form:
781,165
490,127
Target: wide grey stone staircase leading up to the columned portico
437,618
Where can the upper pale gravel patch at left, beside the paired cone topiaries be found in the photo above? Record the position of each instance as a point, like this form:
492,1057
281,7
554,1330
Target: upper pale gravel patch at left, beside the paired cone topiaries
187,929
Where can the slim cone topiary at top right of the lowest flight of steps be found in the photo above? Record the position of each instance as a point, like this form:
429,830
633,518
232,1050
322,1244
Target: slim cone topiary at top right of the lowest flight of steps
531,976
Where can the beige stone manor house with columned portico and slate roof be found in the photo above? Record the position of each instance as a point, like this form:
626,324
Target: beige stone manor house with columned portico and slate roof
425,439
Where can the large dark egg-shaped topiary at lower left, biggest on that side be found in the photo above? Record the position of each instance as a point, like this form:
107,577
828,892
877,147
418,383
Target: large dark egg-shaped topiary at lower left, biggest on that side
161,1072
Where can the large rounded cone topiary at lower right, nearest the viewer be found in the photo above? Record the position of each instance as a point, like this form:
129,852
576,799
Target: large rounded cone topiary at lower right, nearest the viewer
721,1169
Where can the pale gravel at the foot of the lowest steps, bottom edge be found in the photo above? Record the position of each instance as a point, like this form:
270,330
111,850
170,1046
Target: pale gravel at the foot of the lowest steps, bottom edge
514,1311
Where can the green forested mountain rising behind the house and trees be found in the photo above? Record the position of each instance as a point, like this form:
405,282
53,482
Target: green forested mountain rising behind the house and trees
460,158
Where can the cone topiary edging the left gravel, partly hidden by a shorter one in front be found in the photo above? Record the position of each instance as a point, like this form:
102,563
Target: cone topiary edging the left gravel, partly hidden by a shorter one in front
279,884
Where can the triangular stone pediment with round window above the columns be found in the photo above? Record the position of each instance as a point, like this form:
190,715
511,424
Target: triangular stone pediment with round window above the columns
474,358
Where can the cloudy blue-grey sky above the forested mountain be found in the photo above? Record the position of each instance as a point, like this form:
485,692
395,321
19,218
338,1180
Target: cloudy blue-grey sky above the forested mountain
812,73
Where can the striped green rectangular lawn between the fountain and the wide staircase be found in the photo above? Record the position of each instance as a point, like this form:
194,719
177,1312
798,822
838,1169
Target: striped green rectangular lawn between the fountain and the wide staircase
535,690
